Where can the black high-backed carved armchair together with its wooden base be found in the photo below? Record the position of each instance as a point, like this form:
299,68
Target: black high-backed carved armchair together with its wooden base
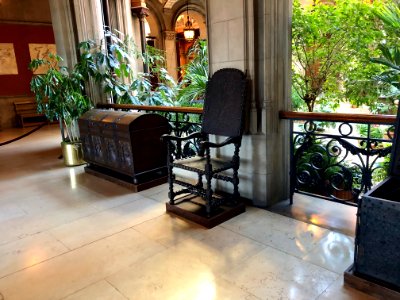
222,116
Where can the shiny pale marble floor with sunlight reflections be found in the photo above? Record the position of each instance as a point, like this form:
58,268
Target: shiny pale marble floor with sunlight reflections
69,235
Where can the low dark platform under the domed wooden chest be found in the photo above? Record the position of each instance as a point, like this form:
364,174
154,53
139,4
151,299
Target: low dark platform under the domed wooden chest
149,181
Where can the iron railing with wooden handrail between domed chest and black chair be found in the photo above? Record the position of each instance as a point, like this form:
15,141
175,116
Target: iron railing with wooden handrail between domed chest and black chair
183,121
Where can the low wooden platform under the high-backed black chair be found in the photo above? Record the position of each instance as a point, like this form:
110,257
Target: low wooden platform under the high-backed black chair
192,208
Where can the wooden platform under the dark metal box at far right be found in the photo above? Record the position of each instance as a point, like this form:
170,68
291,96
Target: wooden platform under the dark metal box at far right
369,287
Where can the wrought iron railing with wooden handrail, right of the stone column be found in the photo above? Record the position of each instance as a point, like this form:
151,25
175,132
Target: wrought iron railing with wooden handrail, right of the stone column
338,157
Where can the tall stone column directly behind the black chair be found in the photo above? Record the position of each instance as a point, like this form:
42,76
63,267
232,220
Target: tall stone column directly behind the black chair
254,36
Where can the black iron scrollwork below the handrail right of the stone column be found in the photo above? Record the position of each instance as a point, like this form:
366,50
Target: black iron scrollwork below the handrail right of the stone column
337,165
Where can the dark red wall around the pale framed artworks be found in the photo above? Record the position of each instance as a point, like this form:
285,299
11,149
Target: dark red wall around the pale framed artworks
22,35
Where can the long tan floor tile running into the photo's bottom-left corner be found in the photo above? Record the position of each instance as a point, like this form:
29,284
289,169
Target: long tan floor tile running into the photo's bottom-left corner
68,273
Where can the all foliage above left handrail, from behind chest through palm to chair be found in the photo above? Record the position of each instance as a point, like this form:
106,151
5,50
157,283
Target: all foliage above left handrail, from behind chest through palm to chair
113,69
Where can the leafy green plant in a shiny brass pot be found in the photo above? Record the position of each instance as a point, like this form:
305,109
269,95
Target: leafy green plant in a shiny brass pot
59,93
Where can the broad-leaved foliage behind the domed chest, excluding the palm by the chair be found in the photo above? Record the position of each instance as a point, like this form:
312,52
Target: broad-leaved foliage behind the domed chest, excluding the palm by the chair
114,70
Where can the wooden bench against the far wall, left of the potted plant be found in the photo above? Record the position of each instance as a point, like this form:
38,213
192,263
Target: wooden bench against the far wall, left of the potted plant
27,115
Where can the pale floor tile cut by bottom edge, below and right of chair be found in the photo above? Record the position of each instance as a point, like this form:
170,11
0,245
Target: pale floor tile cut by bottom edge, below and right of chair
273,274
